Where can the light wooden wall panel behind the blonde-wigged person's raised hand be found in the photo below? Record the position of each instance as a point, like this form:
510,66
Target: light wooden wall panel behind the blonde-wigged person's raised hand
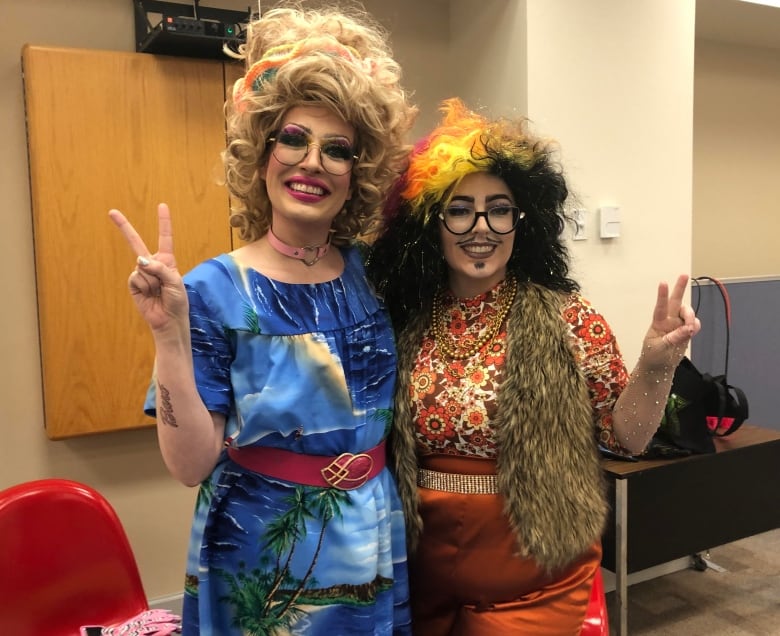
119,130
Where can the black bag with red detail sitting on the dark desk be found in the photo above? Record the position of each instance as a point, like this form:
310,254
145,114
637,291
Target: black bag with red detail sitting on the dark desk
700,406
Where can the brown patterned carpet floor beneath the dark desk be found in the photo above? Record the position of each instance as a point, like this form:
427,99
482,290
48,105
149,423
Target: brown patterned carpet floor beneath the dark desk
742,601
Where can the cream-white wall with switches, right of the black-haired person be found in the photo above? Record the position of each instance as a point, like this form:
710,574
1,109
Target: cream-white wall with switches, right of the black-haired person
613,82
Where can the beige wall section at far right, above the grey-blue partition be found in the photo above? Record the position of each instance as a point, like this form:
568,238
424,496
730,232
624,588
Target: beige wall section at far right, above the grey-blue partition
736,191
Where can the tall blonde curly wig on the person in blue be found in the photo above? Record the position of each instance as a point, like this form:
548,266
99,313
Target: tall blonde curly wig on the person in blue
361,85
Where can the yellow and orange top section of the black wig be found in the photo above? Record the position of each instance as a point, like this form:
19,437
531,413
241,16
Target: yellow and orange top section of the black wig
456,148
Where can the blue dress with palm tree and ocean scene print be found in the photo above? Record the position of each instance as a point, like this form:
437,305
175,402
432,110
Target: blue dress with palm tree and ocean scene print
309,369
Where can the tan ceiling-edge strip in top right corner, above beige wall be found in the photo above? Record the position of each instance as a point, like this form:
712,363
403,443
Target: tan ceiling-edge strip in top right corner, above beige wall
738,22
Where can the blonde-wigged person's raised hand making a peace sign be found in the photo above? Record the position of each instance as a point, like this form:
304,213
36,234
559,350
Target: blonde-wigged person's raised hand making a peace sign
155,283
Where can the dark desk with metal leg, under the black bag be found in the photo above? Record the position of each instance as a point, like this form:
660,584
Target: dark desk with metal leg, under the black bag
669,509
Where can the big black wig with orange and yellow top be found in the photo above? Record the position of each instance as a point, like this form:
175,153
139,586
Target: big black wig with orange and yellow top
405,262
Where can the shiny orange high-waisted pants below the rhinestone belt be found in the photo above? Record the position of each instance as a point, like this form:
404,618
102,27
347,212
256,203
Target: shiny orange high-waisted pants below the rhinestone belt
466,580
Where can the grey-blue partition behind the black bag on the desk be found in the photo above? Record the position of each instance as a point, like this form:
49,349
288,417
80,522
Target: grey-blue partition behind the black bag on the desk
754,358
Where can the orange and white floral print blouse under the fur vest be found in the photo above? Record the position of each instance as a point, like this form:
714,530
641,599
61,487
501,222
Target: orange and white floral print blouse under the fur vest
454,401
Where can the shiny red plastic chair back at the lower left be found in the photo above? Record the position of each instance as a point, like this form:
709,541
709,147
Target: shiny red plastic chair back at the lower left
65,561
